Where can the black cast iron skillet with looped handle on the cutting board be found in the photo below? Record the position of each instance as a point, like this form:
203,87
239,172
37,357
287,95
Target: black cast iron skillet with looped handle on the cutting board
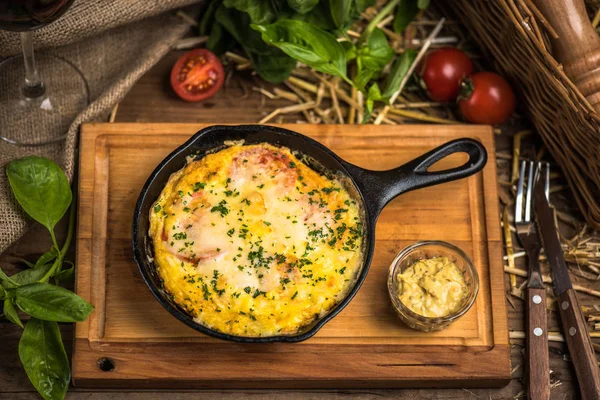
373,190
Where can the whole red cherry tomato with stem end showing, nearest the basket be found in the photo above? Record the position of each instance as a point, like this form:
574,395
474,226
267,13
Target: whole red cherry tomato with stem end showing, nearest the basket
486,98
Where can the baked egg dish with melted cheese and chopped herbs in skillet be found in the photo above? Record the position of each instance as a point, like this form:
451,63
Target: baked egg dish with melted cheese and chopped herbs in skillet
251,241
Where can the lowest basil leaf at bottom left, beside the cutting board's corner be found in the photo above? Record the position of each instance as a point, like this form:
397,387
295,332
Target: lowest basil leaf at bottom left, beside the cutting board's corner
43,356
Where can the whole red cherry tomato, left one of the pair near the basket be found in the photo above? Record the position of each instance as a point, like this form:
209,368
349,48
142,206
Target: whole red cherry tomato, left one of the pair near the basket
442,71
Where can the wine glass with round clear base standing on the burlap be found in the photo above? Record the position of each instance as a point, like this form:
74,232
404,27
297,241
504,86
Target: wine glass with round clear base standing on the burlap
46,93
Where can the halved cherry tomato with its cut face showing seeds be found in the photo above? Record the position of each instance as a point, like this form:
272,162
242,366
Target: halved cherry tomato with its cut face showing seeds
197,75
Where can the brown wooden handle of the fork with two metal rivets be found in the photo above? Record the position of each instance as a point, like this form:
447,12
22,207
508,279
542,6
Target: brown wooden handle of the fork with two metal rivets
538,371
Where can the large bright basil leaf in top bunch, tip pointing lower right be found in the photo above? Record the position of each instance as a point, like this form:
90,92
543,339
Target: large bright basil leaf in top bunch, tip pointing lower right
307,44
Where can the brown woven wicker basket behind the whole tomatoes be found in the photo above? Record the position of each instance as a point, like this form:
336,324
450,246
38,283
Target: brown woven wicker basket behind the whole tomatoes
507,30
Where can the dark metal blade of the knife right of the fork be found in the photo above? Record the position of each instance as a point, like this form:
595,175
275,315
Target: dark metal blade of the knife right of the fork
550,240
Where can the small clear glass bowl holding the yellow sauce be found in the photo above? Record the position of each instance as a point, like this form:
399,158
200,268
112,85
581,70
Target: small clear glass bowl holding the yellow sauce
426,250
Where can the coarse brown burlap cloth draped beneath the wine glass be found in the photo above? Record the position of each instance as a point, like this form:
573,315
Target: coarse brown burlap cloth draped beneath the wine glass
113,43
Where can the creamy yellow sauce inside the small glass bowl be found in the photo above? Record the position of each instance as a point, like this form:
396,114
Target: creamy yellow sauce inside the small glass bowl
433,287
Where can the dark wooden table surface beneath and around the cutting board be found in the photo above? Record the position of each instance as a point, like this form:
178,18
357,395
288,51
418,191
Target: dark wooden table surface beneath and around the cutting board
151,100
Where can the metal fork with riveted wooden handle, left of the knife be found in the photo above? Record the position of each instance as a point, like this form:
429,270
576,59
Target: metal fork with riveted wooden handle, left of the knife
538,371
